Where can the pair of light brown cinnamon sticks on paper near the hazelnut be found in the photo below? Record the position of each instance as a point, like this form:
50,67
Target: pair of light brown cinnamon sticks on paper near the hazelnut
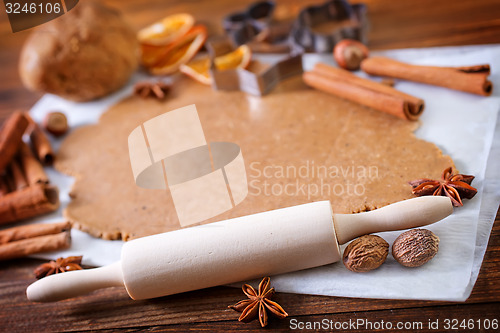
340,82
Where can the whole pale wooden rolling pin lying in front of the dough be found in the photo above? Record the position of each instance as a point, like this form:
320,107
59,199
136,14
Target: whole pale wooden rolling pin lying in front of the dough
243,248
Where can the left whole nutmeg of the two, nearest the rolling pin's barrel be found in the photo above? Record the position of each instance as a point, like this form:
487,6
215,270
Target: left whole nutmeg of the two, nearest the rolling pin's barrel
365,253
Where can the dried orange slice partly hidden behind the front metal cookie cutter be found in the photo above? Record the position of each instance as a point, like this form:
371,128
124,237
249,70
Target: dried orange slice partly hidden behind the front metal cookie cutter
199,69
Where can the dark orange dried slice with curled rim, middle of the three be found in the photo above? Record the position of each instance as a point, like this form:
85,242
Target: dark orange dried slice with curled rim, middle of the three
180,52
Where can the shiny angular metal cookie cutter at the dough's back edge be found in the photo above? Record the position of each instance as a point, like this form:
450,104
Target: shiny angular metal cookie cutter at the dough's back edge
253,80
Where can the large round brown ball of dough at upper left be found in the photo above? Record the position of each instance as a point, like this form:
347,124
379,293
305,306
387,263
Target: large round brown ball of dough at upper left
82,55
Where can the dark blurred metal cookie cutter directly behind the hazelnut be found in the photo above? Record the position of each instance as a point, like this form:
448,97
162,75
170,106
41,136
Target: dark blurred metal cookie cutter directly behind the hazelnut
319,28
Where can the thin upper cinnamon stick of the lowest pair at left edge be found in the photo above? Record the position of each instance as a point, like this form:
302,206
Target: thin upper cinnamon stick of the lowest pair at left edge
32,230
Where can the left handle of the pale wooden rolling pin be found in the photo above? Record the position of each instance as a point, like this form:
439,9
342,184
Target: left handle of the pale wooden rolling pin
75,283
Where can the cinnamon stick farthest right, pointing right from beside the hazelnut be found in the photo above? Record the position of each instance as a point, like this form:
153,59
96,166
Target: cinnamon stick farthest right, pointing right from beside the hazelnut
471,79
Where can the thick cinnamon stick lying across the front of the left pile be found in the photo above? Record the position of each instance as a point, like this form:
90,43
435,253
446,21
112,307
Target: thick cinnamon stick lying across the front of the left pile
31,201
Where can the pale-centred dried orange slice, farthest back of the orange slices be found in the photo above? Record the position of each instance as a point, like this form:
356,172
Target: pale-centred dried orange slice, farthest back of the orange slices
167,30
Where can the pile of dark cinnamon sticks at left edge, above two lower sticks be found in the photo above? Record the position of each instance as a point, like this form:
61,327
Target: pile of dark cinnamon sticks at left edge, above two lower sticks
24,186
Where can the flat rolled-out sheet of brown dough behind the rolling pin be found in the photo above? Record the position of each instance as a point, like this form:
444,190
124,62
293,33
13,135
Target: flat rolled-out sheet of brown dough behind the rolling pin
290,128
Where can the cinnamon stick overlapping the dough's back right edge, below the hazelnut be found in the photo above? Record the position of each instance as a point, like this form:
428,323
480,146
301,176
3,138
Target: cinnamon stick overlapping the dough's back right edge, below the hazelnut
346,85
